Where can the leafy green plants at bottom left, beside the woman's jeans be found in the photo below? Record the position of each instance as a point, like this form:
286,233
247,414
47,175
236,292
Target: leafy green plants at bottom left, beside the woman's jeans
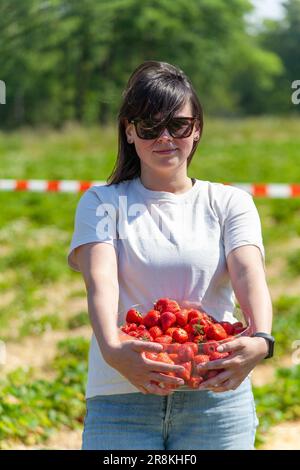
31,409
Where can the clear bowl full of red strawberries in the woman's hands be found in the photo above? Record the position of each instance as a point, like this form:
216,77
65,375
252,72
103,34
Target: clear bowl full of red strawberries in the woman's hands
189,335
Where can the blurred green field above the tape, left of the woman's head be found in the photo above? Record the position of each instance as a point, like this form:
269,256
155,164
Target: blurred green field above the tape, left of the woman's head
73,153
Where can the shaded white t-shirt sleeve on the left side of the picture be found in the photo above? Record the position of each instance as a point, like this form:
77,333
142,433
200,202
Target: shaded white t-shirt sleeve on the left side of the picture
95,221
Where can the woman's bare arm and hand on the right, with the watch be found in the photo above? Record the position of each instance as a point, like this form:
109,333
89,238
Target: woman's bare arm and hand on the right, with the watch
249,283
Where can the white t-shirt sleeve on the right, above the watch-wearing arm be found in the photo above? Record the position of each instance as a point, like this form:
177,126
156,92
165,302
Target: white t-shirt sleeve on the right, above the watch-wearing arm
242,224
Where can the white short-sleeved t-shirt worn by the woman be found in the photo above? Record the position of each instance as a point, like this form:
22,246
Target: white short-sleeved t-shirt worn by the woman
167,245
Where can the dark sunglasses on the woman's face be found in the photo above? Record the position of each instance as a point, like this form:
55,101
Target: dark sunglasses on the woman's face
179,128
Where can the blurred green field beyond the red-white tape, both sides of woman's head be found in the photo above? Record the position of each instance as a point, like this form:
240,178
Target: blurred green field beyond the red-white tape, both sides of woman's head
252,149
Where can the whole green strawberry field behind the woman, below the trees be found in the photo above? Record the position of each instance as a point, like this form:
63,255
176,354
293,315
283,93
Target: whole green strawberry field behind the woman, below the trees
43,314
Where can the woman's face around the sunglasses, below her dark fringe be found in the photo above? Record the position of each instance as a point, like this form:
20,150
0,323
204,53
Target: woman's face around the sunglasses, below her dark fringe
165,152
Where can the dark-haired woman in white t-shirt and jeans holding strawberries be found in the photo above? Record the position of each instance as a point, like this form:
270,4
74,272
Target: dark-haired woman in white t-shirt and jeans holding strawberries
154,232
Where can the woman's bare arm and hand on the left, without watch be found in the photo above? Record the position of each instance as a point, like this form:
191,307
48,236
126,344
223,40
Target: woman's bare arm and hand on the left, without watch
98,265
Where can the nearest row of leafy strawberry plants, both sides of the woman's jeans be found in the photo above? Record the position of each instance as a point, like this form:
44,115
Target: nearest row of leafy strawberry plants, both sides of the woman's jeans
32,409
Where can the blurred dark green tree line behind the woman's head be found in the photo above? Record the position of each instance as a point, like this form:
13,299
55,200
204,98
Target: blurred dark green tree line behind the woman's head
65,60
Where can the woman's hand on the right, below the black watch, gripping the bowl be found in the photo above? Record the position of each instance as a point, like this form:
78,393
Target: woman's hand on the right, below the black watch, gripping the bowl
245,354
